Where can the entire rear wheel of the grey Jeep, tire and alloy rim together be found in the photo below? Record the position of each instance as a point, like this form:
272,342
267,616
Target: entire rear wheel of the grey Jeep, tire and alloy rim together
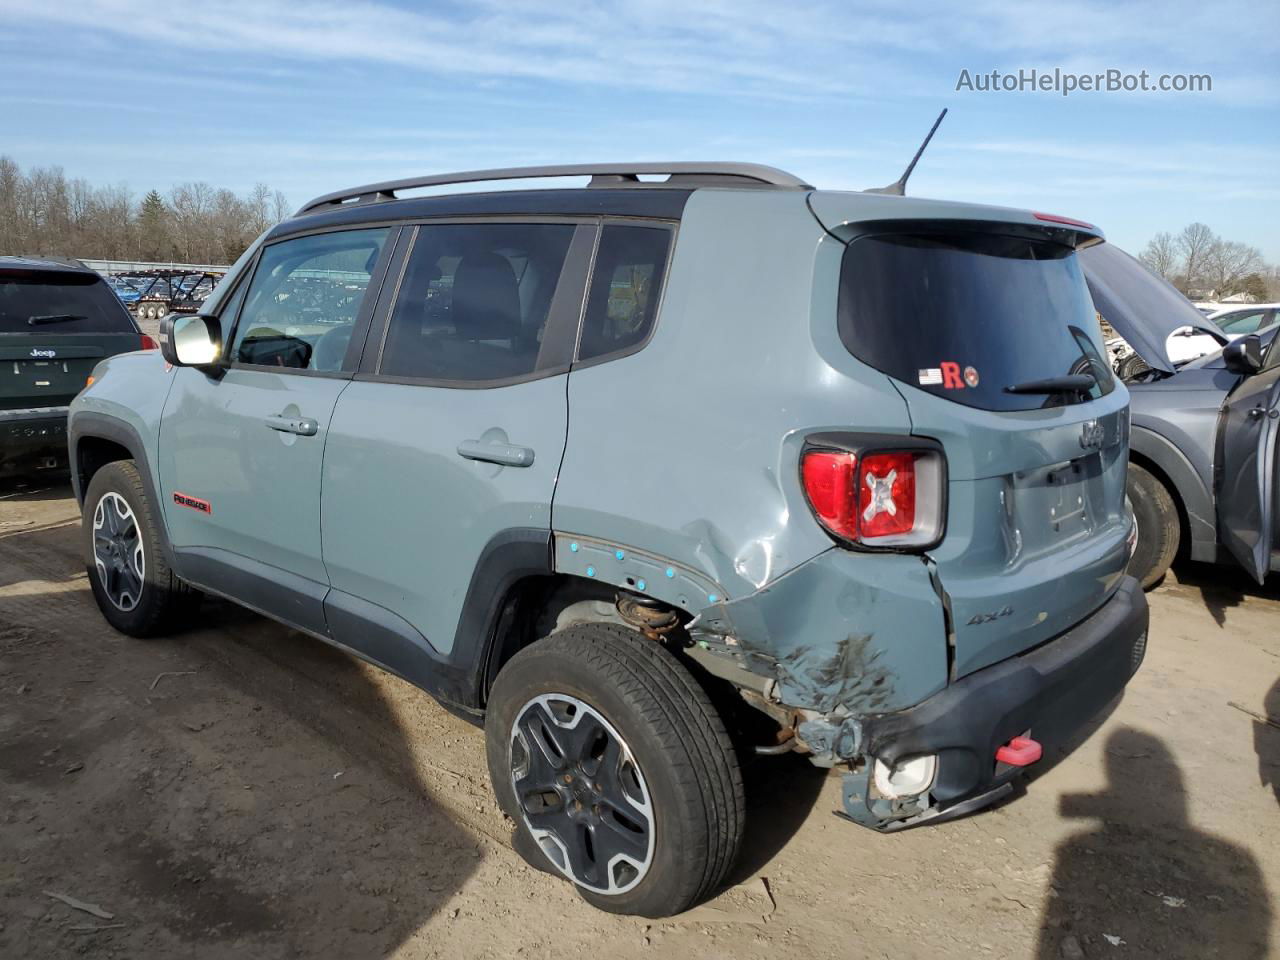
616,769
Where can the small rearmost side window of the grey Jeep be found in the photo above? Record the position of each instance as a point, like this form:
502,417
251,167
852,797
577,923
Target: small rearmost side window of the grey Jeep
625,290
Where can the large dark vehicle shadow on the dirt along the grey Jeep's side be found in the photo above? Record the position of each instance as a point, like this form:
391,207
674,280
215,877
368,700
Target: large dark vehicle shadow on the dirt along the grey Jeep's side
240,790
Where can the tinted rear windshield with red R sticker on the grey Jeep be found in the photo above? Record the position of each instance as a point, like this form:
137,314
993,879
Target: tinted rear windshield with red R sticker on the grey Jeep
966,317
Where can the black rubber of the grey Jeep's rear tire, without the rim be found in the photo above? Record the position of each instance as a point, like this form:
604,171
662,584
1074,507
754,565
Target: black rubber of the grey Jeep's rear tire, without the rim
678,740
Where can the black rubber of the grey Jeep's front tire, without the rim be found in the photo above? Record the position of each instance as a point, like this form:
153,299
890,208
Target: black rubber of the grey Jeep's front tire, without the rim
164,604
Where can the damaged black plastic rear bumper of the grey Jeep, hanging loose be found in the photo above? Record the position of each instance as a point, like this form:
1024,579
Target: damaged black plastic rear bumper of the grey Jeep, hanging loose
1052,692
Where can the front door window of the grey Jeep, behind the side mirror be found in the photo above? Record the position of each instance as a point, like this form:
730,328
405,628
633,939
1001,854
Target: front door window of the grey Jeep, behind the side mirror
303,304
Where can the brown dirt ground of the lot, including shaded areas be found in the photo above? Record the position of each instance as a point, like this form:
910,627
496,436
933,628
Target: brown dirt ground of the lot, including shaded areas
248,792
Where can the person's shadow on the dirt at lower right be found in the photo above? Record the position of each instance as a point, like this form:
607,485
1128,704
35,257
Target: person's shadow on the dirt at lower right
1142,877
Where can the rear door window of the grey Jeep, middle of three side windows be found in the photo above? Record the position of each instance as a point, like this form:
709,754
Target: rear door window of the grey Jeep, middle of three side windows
474,303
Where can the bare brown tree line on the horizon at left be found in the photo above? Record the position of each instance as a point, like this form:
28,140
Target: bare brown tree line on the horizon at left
43,213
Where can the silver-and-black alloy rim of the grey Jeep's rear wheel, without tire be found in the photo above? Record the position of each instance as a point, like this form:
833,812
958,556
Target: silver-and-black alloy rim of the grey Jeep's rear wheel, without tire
582,794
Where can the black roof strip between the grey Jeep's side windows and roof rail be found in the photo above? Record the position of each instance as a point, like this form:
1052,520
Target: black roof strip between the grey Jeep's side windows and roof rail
655,204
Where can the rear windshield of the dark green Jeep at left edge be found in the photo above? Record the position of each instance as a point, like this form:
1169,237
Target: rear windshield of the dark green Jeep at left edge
48,303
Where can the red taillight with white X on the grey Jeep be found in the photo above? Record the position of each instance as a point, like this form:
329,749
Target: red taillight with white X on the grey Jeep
874,497
